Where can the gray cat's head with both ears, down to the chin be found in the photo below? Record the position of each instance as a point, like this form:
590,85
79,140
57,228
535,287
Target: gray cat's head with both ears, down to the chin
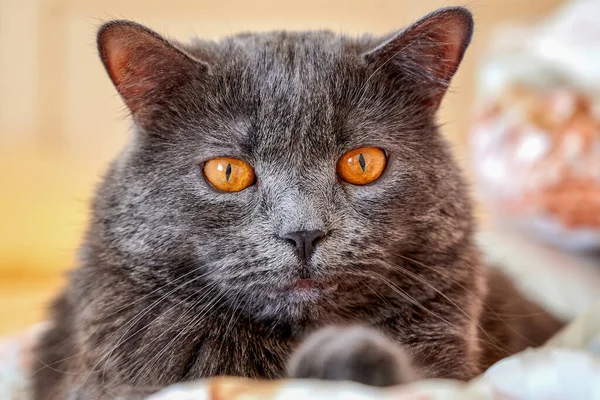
241,186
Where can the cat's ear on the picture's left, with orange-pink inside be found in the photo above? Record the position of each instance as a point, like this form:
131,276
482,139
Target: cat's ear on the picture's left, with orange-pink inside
144,66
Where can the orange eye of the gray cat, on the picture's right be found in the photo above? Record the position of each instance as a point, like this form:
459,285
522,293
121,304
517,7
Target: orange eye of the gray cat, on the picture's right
361,166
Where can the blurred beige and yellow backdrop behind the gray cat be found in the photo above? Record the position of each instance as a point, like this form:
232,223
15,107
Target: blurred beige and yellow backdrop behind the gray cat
61,120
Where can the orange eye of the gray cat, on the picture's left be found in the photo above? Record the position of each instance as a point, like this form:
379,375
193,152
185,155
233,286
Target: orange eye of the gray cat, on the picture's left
229,174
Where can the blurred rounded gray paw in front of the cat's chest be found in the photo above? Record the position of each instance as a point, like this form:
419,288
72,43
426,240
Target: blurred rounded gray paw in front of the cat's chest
351,354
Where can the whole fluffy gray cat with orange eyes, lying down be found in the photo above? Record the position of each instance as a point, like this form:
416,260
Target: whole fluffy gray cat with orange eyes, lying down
277,184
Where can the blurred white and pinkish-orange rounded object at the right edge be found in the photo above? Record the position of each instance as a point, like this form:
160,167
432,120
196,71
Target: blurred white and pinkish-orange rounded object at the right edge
535,140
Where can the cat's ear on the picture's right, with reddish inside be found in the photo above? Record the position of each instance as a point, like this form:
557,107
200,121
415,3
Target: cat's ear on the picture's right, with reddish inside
428,52
